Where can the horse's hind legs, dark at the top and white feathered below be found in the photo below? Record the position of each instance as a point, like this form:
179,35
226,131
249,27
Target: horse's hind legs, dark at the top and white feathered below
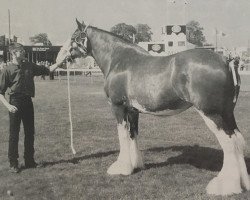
233,176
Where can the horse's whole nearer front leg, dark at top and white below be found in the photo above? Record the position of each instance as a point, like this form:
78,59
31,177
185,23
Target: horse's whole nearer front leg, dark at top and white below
123,165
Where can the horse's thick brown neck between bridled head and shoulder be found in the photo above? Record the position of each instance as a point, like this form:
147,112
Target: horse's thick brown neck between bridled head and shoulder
103,46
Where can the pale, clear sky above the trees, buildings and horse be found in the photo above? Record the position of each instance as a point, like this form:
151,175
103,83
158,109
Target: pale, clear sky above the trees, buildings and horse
57,17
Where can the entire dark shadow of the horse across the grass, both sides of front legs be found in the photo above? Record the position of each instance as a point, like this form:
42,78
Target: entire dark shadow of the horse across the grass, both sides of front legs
199,157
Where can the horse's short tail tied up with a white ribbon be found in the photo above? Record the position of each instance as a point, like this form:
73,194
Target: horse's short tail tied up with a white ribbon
233,67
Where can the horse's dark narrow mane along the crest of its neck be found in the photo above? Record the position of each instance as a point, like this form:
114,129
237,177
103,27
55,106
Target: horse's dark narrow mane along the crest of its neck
122,40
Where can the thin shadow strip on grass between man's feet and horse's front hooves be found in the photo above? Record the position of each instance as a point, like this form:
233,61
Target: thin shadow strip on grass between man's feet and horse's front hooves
76,159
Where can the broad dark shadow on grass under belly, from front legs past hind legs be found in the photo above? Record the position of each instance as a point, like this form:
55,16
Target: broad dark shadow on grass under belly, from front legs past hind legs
199,157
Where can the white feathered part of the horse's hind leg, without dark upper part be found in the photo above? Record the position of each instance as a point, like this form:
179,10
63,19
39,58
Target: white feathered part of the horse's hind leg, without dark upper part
229,178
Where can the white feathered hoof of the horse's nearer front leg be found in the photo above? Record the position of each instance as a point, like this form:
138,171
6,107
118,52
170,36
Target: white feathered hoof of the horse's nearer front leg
119,167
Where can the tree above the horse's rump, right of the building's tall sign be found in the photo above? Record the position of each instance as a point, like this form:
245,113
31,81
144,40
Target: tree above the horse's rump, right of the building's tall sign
195,33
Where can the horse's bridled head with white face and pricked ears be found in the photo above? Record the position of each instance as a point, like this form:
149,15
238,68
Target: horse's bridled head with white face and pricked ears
77,46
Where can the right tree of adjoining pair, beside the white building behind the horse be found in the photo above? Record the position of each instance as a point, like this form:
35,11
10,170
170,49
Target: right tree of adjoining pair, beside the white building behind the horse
143,33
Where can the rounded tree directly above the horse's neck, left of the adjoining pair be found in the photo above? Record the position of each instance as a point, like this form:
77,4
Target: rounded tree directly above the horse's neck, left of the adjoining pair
127,32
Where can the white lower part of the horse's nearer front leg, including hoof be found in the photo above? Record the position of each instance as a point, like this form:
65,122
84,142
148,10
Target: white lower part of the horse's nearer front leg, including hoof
123,164
